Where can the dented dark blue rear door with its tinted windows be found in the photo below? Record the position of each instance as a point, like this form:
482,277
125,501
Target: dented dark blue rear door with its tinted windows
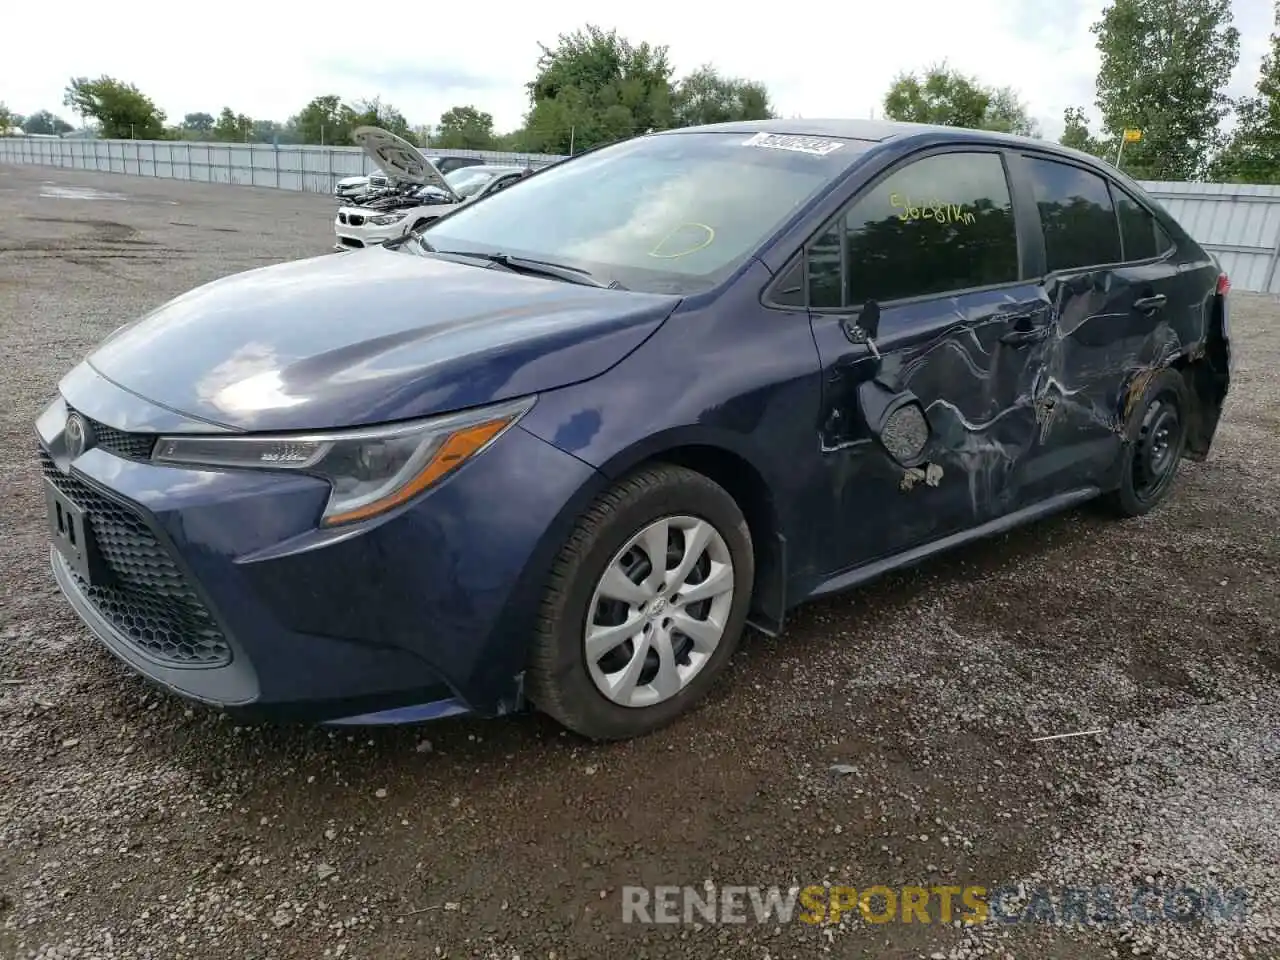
1114,282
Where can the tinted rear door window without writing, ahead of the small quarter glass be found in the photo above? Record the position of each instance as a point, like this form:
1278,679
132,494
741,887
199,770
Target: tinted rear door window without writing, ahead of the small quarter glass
1077,216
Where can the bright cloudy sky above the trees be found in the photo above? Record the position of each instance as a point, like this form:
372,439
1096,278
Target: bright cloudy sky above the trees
268,60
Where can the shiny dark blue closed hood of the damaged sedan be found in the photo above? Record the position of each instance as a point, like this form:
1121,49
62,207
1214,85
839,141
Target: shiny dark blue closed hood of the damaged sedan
371,337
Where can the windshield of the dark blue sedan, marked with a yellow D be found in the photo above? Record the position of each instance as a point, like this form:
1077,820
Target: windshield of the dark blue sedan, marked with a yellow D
670,213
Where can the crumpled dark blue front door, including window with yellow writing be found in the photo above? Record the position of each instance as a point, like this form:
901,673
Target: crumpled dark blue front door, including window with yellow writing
962,335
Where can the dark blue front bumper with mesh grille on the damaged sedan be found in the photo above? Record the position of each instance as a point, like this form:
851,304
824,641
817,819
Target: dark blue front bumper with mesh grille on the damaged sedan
222,588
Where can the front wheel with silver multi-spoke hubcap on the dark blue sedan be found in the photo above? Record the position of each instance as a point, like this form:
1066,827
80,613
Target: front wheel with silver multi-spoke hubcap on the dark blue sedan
563,680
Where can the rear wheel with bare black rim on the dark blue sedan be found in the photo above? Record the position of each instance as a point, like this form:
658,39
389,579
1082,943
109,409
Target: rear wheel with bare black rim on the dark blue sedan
1155,442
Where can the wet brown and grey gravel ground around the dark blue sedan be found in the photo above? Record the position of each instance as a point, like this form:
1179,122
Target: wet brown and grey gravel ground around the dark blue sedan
884,739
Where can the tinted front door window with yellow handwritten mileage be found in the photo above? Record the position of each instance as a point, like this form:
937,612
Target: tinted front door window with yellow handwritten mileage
938,226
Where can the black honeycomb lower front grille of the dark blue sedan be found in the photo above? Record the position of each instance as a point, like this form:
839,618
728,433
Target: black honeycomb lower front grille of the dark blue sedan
148,598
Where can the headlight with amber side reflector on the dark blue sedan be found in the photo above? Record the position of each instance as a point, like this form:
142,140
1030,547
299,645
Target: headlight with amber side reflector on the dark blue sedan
371,470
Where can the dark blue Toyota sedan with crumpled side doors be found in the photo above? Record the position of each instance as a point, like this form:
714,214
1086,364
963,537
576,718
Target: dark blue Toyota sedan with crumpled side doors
565,445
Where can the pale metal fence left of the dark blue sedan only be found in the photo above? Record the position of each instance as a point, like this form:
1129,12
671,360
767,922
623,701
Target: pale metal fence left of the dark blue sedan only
287,167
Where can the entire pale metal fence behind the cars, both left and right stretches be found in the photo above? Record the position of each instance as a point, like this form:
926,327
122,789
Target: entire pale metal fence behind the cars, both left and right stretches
1237,223
